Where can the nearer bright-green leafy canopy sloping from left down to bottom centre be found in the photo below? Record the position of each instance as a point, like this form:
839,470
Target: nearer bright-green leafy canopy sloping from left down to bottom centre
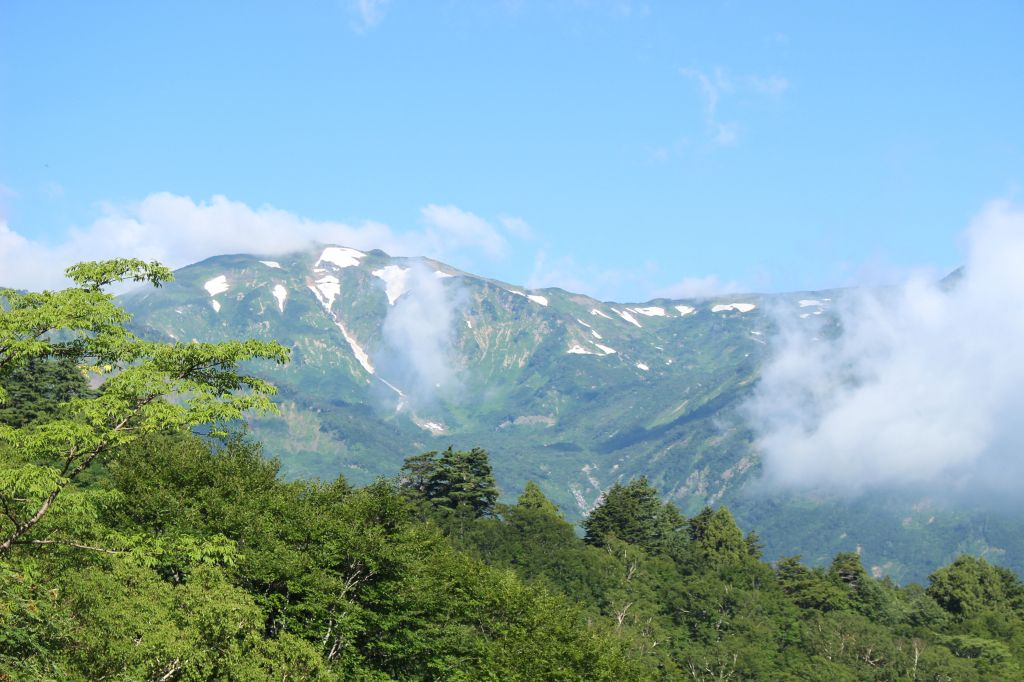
324,582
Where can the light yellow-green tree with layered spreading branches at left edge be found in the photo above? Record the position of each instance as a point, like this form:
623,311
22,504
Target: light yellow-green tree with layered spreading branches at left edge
145,388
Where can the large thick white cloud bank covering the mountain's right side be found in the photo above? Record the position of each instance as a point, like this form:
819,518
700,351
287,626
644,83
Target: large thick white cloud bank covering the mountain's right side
924,388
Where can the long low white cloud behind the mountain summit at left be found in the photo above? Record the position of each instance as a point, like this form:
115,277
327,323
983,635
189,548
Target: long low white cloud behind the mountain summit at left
179,231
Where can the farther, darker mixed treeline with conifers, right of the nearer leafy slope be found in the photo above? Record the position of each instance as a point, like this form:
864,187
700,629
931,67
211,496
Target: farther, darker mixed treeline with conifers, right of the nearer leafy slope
692,599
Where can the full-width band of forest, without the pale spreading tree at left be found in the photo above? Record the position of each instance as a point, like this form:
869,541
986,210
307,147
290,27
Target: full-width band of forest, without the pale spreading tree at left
201,564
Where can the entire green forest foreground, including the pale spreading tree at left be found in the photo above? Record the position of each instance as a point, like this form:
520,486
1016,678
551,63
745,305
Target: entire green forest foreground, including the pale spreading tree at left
146,537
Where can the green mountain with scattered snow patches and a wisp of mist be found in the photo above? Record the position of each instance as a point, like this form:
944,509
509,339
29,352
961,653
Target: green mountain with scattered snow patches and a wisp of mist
395,357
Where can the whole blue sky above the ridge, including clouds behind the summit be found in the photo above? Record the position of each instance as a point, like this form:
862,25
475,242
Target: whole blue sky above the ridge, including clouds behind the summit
621,149
